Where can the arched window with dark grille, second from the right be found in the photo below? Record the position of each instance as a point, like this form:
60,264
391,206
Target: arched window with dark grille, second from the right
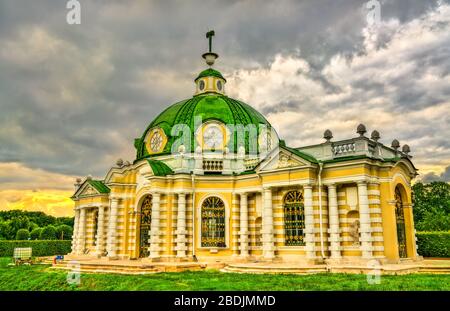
294,218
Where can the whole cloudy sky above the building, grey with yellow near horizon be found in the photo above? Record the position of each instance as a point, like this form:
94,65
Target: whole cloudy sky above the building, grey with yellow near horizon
74,97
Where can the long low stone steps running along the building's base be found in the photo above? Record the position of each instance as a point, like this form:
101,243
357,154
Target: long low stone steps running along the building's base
147,267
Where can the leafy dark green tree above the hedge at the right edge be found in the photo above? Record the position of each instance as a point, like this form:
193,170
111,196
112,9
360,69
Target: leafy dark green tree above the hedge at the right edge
432,206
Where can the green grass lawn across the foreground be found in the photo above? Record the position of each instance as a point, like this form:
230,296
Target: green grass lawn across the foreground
41,277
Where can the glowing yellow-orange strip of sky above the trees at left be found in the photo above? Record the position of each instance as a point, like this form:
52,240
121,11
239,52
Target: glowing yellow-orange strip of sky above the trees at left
52,202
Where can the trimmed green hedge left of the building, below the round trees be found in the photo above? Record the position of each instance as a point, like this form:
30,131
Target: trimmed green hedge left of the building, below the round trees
40,248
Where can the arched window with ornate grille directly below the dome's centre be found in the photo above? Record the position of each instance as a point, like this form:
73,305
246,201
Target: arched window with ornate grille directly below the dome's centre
213,223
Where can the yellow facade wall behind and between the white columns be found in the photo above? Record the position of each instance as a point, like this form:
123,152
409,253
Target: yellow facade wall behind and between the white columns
383,179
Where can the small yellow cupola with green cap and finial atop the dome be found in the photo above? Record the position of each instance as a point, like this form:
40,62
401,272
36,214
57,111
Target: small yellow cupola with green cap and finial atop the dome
210,80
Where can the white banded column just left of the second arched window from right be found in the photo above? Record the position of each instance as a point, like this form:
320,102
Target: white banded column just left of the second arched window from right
267,226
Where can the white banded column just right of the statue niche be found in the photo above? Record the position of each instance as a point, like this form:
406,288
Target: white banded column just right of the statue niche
364,219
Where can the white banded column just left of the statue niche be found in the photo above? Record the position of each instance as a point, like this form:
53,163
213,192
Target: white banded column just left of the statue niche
333,214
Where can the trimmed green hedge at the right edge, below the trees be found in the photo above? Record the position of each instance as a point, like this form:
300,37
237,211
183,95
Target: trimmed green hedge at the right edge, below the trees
433,244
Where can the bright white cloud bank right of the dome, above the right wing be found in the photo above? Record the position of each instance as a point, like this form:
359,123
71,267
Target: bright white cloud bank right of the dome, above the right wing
398,83
